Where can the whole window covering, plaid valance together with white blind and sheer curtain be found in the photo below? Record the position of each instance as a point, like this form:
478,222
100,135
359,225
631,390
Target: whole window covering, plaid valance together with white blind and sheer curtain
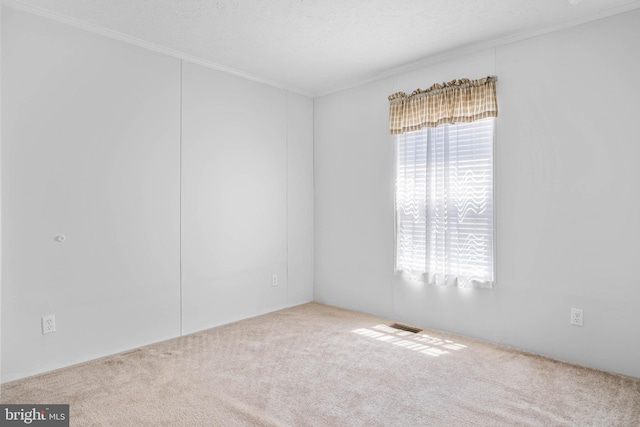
444,182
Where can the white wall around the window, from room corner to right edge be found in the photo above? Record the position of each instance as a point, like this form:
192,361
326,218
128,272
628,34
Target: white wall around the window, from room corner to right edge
567,204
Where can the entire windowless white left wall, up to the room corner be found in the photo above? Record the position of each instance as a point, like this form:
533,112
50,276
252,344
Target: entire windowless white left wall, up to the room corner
142,162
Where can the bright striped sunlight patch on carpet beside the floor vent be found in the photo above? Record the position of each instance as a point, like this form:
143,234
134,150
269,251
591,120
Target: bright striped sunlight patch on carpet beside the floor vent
423,343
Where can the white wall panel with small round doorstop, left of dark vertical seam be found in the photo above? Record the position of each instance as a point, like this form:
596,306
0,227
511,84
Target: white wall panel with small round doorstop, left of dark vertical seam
89,151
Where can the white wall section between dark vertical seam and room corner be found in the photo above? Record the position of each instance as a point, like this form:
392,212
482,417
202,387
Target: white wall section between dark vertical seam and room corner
235,190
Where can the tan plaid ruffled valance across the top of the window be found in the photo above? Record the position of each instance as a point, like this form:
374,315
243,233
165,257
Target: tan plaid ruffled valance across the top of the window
461,100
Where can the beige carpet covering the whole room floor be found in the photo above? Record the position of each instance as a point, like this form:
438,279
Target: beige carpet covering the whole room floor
315,365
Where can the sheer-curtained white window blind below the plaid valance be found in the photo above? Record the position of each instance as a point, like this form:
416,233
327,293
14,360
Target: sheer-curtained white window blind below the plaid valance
444,204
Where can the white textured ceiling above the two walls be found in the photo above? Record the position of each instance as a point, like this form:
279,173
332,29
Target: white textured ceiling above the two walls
317,46
